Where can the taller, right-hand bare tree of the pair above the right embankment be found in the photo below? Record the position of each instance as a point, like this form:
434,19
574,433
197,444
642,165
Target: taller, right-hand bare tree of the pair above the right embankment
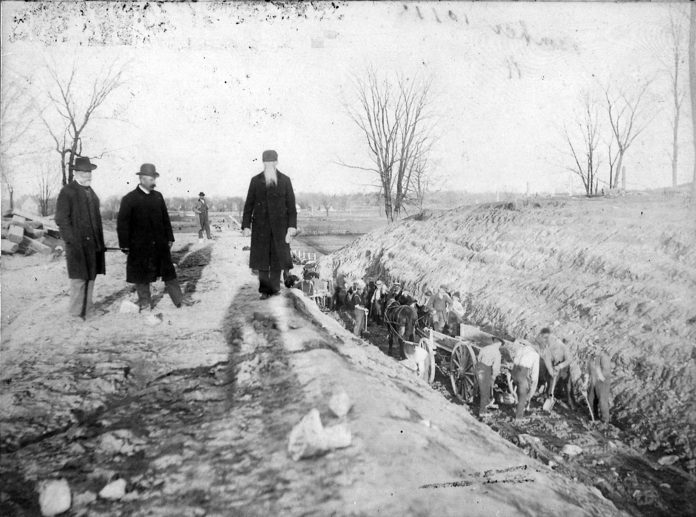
624,111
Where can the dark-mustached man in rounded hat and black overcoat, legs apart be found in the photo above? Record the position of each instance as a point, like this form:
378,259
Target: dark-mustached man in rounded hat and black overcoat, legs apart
145,235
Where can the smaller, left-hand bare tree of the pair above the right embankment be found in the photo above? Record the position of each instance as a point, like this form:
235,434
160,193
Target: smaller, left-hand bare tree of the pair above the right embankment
582,142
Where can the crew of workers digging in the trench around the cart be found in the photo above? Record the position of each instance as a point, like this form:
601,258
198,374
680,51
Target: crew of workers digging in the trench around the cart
544,361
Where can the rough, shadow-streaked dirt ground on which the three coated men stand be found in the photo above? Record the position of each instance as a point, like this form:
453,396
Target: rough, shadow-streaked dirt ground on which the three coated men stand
194,413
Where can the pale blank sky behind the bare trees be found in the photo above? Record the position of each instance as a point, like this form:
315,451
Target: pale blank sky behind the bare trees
210,86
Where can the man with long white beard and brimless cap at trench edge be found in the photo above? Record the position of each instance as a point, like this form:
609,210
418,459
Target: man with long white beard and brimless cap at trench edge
270,217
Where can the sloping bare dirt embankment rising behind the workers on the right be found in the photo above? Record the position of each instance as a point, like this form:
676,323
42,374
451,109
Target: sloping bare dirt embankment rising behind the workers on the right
611,274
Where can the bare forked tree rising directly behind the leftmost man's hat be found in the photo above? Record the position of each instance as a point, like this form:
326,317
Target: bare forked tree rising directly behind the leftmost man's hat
74,113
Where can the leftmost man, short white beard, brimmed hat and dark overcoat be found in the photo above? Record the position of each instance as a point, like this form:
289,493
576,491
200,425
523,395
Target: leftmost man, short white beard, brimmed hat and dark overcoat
79,220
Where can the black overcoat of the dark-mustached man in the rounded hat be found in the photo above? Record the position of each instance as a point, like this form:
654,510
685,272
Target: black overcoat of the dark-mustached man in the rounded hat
144,228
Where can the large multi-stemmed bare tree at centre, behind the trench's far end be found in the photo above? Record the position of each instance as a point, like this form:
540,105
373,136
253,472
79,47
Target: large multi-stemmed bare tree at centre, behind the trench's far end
392,116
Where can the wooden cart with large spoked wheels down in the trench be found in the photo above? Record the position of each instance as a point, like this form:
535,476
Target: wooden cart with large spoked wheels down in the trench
455,356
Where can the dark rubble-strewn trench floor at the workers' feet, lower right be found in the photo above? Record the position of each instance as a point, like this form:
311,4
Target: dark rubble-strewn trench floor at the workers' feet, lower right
633,482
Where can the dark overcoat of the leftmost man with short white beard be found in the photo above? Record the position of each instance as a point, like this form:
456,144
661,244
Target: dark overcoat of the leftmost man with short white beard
81,229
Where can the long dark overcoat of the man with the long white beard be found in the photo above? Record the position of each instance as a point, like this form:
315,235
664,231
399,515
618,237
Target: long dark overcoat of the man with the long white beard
269,212
